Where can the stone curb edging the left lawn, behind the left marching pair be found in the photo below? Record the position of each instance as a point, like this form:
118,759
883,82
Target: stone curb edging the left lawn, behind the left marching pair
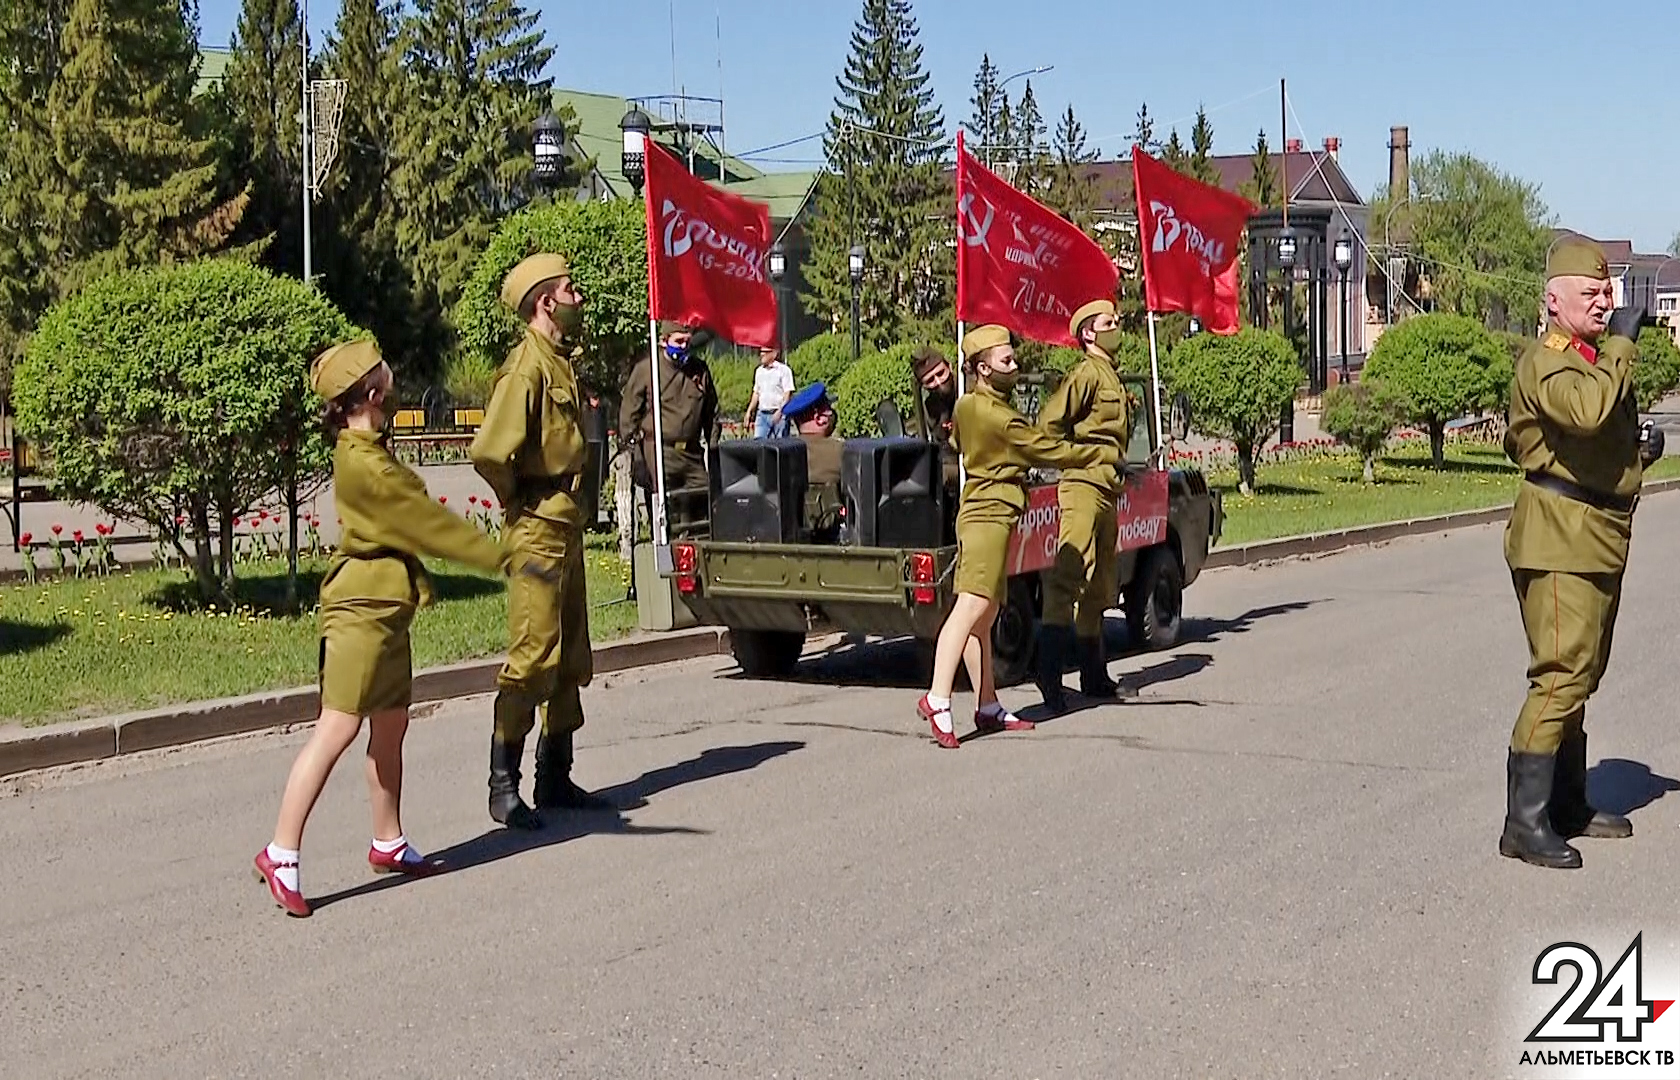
24,750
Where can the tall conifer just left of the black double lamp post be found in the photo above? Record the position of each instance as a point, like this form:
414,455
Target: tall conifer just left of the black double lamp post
465,135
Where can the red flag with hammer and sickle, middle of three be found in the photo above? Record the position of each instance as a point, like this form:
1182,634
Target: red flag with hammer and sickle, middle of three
1019,263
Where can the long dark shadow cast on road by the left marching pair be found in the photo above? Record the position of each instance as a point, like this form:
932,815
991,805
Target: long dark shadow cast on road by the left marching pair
569,826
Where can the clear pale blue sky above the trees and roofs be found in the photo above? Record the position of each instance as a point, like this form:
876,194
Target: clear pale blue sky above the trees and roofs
1573,97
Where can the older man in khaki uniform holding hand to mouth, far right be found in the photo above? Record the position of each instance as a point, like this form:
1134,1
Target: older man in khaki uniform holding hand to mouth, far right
1575,431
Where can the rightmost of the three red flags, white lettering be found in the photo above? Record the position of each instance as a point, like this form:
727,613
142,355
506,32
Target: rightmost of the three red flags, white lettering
1189,238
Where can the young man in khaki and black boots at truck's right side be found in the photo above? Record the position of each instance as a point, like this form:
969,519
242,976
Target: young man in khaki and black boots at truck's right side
1088,407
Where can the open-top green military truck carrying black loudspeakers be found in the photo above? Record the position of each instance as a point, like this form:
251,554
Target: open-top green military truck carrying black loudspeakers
772,595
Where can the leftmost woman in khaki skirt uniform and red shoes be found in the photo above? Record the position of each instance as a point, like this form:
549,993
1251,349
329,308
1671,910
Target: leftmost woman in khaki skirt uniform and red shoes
372,590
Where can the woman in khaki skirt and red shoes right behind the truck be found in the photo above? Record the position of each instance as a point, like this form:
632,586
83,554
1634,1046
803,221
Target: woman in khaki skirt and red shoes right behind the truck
999,446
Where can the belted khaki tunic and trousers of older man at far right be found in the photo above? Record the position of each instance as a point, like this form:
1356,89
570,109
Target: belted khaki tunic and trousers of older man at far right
1577,421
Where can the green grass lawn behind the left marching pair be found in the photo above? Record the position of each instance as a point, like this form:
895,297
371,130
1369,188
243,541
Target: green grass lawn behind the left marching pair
135,641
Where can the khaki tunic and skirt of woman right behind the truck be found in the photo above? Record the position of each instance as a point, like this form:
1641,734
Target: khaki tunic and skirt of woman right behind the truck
999,446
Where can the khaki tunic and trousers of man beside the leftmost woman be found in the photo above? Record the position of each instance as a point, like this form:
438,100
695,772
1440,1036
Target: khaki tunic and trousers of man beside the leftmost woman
533,454
